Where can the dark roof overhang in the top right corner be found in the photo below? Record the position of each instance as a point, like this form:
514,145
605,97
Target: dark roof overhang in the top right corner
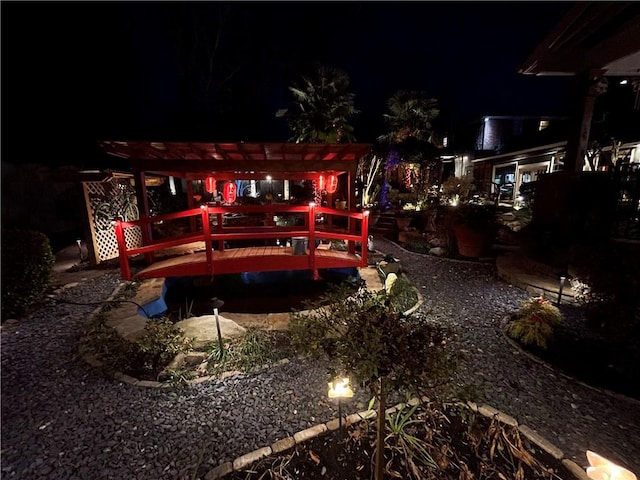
592,36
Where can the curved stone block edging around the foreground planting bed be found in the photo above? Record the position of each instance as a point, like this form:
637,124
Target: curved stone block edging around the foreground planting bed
279,446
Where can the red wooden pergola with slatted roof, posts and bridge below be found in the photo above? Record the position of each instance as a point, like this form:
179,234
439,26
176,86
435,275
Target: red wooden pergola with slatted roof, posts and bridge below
241,161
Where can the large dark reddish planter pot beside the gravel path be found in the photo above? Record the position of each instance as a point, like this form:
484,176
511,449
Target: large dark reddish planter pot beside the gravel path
474,226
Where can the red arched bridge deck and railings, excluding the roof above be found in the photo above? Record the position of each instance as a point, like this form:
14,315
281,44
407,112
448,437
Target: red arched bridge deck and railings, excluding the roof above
264,245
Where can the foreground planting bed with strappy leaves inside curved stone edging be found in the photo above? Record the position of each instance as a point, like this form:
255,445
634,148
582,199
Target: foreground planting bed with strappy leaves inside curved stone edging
450,442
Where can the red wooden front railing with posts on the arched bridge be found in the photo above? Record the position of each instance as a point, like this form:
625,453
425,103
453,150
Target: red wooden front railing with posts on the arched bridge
216,227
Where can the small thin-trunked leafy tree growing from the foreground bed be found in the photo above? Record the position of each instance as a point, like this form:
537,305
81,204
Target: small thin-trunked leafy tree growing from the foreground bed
377,345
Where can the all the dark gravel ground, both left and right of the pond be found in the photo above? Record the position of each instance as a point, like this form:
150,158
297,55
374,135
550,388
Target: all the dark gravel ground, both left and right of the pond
62,419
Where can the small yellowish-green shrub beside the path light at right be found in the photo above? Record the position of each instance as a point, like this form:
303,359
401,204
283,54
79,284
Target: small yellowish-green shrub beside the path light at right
534,323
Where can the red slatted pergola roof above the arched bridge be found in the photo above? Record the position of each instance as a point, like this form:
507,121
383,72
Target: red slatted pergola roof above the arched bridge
246,161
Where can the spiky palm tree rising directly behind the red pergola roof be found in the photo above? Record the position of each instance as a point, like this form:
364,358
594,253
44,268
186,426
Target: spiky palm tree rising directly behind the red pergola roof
321,108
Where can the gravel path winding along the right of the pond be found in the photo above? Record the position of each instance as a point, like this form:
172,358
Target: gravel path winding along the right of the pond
573,417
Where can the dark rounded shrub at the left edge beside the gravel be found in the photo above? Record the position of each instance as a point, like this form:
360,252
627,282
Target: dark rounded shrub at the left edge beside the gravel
27,263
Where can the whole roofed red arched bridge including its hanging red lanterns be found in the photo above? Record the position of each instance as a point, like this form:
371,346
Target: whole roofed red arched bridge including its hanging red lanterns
261,241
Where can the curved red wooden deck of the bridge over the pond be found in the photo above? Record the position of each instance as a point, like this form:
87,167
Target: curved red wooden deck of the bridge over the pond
250,259
